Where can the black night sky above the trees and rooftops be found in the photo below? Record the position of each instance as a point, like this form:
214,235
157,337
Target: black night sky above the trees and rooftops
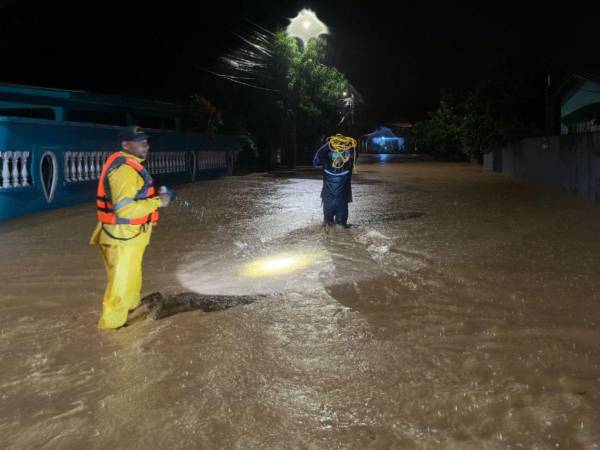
398,55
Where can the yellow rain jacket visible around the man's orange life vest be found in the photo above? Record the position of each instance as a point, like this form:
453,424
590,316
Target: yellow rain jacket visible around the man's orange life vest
125,183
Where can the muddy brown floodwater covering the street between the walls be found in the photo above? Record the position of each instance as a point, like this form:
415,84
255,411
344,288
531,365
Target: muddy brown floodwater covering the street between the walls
460,311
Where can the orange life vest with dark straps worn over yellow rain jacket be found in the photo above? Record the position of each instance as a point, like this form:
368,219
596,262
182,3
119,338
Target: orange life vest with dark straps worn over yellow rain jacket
106,209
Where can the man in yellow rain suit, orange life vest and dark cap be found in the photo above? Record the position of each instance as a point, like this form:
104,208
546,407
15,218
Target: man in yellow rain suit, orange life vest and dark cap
127,207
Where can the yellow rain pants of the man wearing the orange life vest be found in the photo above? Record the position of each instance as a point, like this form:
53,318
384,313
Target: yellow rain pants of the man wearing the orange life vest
124,270
